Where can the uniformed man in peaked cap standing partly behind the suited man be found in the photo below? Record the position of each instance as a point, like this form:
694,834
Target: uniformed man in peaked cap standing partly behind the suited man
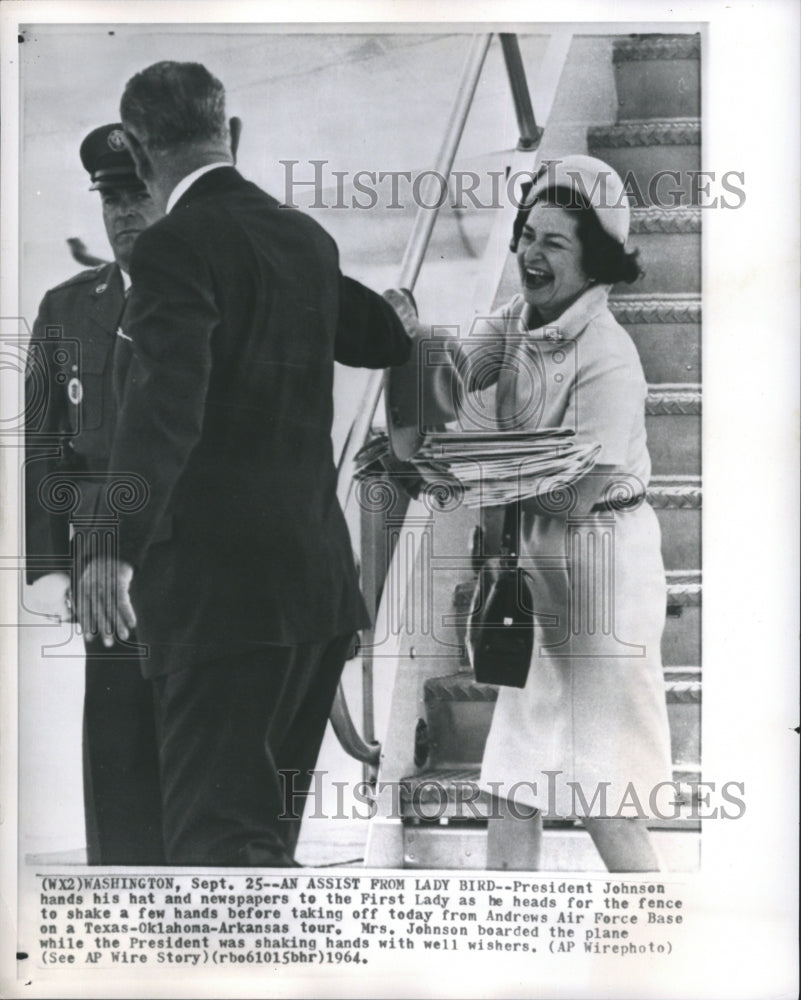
70,424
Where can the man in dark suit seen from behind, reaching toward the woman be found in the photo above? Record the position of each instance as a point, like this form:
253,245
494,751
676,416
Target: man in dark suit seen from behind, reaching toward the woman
238,561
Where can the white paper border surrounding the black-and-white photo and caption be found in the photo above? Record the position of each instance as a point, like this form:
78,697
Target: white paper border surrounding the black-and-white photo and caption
744,900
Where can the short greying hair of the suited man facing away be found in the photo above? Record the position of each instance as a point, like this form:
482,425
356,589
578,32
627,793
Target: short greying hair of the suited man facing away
171,104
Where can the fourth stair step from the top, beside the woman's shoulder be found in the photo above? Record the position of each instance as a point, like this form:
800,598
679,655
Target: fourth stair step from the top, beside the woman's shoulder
667,332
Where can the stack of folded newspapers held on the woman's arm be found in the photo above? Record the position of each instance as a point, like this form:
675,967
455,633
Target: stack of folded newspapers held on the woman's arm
498,468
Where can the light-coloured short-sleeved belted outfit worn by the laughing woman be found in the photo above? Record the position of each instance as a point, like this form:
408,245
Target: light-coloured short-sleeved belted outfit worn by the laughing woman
592,718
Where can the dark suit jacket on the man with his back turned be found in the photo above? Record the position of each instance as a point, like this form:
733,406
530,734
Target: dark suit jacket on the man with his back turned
237,313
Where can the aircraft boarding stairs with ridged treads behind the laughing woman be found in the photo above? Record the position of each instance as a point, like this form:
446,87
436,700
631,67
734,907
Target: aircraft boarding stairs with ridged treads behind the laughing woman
417,568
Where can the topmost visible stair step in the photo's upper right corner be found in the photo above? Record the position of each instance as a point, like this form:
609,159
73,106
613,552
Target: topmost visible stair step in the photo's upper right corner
658,76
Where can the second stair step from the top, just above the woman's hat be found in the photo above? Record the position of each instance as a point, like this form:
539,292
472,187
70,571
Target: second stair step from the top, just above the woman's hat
641,151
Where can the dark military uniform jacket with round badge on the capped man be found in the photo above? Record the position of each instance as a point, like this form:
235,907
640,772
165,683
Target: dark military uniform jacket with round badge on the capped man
69,410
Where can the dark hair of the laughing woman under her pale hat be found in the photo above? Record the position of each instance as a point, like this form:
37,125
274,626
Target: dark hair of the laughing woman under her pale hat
603,258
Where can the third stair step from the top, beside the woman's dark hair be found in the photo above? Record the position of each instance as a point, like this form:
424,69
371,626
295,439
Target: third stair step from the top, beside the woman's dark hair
669,245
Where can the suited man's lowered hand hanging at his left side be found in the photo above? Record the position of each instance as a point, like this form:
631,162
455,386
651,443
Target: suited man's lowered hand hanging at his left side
104,605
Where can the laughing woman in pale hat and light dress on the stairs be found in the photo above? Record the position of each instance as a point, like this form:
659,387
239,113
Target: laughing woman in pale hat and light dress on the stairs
591,720
